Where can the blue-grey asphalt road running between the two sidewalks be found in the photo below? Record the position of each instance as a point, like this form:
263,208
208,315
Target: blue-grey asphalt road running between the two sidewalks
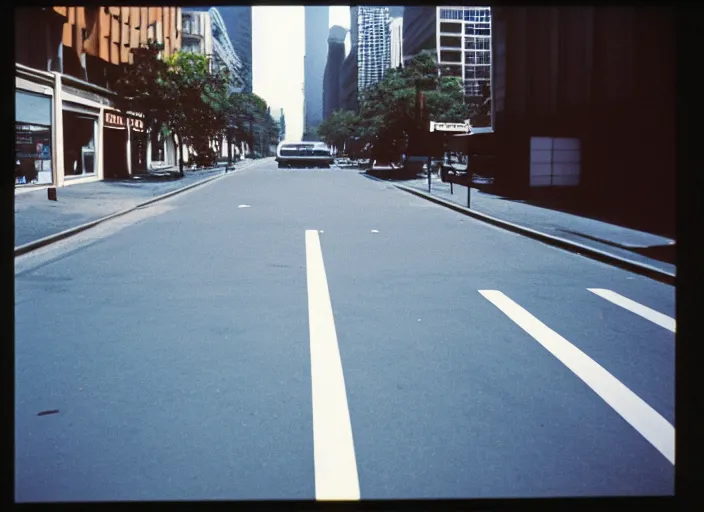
334,338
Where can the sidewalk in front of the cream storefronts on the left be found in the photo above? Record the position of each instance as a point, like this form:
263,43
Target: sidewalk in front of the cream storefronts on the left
36,217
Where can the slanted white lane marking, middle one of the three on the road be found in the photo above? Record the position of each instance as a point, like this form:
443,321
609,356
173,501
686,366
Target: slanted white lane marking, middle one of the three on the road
651,425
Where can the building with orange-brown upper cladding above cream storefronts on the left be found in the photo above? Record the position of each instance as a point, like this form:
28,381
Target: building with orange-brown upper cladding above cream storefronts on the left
68,128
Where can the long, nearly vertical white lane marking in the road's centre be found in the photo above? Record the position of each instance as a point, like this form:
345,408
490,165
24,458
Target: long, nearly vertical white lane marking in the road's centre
336,475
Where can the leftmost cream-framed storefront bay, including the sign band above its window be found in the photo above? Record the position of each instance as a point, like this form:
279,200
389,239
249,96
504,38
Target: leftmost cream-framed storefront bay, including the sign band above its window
34,134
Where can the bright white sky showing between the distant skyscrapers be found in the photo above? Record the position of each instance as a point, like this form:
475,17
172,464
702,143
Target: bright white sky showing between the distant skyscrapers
278,46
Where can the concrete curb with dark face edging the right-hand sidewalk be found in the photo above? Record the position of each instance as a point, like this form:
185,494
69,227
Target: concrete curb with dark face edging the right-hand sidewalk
590,252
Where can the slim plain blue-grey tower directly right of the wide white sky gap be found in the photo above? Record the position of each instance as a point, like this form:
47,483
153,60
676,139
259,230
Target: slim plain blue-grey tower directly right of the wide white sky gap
317,19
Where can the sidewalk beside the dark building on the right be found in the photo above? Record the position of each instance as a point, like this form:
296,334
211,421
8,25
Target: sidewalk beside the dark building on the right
640,247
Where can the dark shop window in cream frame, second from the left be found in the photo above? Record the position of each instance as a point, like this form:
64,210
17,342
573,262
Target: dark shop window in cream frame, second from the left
80,134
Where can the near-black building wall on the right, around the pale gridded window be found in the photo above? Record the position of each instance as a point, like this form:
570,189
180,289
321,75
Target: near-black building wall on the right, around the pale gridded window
604,75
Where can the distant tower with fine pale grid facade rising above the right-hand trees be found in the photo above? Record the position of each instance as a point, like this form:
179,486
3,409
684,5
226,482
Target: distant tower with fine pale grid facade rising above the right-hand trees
373,45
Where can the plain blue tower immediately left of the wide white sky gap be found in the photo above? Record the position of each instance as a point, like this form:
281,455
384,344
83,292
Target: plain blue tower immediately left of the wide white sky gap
237,21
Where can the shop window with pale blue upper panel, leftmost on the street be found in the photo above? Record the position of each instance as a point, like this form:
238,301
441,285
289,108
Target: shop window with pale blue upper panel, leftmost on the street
32,139
